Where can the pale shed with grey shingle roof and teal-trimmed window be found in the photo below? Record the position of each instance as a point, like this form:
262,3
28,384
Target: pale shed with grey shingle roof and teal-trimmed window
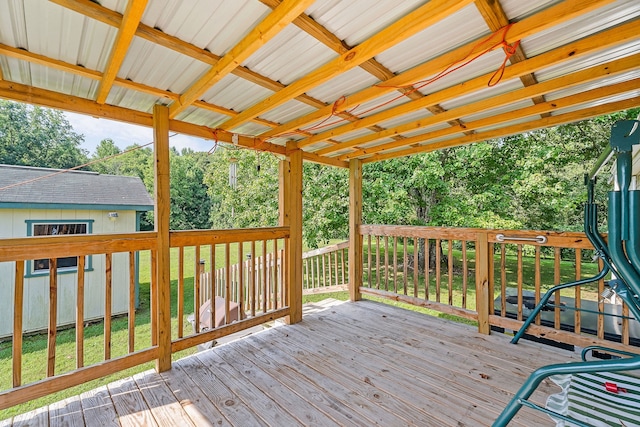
40,201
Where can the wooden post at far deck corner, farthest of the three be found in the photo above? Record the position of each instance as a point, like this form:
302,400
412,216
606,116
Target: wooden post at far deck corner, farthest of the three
355,238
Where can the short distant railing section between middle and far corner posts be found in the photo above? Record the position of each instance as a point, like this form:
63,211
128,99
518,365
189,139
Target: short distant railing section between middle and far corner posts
325,269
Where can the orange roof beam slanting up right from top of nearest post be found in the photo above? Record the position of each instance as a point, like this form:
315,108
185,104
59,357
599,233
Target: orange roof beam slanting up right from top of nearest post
275,22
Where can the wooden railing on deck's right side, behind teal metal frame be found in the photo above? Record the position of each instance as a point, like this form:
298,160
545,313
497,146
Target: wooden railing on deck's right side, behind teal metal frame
520,267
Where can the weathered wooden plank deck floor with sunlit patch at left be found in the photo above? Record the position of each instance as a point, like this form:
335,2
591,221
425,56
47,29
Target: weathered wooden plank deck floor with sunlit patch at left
356,364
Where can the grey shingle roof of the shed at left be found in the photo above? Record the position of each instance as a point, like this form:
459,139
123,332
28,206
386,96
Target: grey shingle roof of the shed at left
85,190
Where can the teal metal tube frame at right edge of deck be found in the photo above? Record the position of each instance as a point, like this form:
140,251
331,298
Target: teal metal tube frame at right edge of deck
623,259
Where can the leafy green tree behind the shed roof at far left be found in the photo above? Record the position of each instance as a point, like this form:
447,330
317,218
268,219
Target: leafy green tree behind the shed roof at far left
35,136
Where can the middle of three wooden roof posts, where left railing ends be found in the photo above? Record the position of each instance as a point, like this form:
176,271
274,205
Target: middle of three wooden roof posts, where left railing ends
291,215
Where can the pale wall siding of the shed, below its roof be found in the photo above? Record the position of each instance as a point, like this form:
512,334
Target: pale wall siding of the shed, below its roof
36,289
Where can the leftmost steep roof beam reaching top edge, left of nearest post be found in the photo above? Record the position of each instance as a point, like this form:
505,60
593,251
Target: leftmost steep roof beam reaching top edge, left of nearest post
132,15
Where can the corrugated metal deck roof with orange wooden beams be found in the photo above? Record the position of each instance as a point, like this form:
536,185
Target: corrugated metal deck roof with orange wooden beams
340,79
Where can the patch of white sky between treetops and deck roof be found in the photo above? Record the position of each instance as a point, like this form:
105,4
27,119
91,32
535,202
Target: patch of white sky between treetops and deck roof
124,135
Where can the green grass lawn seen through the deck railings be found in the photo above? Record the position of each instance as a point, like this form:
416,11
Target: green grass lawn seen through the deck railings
34,346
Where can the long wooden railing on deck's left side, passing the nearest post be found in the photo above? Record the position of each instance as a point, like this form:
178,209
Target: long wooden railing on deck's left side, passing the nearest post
115,261
